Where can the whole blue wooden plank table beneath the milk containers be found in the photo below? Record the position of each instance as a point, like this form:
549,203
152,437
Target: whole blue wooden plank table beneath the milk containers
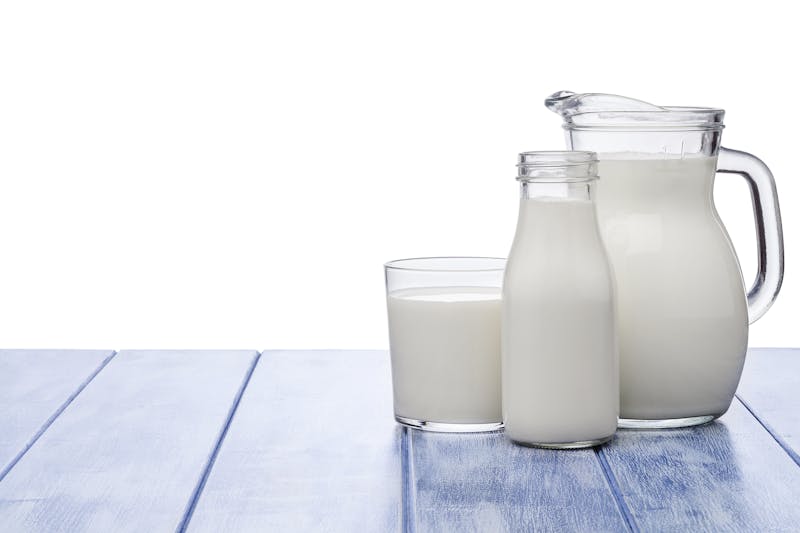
227,441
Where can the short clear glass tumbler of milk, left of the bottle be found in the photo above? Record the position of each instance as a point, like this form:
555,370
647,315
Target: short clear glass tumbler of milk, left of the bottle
444,338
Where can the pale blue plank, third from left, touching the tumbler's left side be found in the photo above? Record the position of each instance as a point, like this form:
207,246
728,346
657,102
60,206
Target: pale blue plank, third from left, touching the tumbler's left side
313,447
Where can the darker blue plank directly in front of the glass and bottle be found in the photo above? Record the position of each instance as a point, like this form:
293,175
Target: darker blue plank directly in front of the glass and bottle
482,482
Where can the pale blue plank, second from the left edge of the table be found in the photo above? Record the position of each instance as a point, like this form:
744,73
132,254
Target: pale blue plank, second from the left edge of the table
129,452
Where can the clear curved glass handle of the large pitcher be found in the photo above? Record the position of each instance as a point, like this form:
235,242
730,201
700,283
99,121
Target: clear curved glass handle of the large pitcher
769,231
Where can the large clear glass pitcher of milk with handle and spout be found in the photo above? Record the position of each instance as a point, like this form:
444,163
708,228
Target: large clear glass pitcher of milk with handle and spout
683,310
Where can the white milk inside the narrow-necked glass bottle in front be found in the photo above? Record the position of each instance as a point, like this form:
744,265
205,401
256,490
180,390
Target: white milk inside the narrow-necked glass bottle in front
560,377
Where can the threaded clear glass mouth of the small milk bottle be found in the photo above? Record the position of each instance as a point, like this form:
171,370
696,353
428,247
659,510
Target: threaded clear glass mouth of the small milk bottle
557,166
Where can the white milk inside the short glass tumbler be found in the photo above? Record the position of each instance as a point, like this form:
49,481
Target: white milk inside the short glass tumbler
445,350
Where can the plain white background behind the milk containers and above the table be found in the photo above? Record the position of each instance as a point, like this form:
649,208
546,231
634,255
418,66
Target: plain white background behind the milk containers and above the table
234,174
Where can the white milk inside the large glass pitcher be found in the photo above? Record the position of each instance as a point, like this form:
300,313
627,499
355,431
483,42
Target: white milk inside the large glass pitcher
682,311
